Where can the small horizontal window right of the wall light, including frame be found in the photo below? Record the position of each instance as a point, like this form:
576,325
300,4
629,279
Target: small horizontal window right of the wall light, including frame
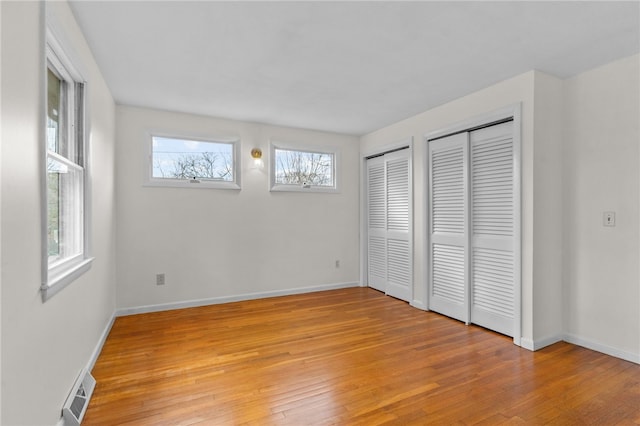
312,170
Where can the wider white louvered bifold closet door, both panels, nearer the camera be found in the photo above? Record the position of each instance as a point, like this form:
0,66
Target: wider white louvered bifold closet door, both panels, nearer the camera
473,227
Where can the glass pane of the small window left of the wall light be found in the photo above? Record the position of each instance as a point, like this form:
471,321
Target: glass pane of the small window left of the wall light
189,159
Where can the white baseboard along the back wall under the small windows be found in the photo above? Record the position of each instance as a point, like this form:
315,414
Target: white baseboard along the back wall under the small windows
227,299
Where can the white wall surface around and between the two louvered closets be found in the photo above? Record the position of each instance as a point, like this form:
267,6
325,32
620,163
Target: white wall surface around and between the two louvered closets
519,89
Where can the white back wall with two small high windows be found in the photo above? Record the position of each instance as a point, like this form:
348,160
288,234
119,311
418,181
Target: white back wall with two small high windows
219,243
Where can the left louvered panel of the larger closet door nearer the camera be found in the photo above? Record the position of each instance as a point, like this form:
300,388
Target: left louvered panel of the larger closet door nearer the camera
448,226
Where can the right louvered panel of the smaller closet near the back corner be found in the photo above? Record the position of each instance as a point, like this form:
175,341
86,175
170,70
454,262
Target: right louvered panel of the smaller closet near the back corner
399,255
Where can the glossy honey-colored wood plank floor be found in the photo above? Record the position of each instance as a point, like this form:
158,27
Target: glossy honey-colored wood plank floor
346,357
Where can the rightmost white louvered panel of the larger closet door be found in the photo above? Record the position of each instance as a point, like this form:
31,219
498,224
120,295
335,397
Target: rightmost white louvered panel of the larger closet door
492,227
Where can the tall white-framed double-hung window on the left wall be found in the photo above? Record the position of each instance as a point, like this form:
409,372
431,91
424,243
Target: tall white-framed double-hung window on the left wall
66,255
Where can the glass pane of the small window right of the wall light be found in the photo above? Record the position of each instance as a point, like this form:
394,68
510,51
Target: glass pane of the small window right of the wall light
303,168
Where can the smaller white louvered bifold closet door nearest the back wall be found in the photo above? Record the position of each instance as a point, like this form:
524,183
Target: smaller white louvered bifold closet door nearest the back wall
389,224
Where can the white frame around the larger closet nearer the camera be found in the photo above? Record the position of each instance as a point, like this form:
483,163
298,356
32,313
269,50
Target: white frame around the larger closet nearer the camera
510,112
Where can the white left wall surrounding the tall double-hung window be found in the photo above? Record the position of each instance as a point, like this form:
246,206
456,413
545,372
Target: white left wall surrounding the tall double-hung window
45,345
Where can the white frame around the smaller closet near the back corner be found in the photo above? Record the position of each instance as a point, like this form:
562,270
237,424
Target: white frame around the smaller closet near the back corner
406,143
